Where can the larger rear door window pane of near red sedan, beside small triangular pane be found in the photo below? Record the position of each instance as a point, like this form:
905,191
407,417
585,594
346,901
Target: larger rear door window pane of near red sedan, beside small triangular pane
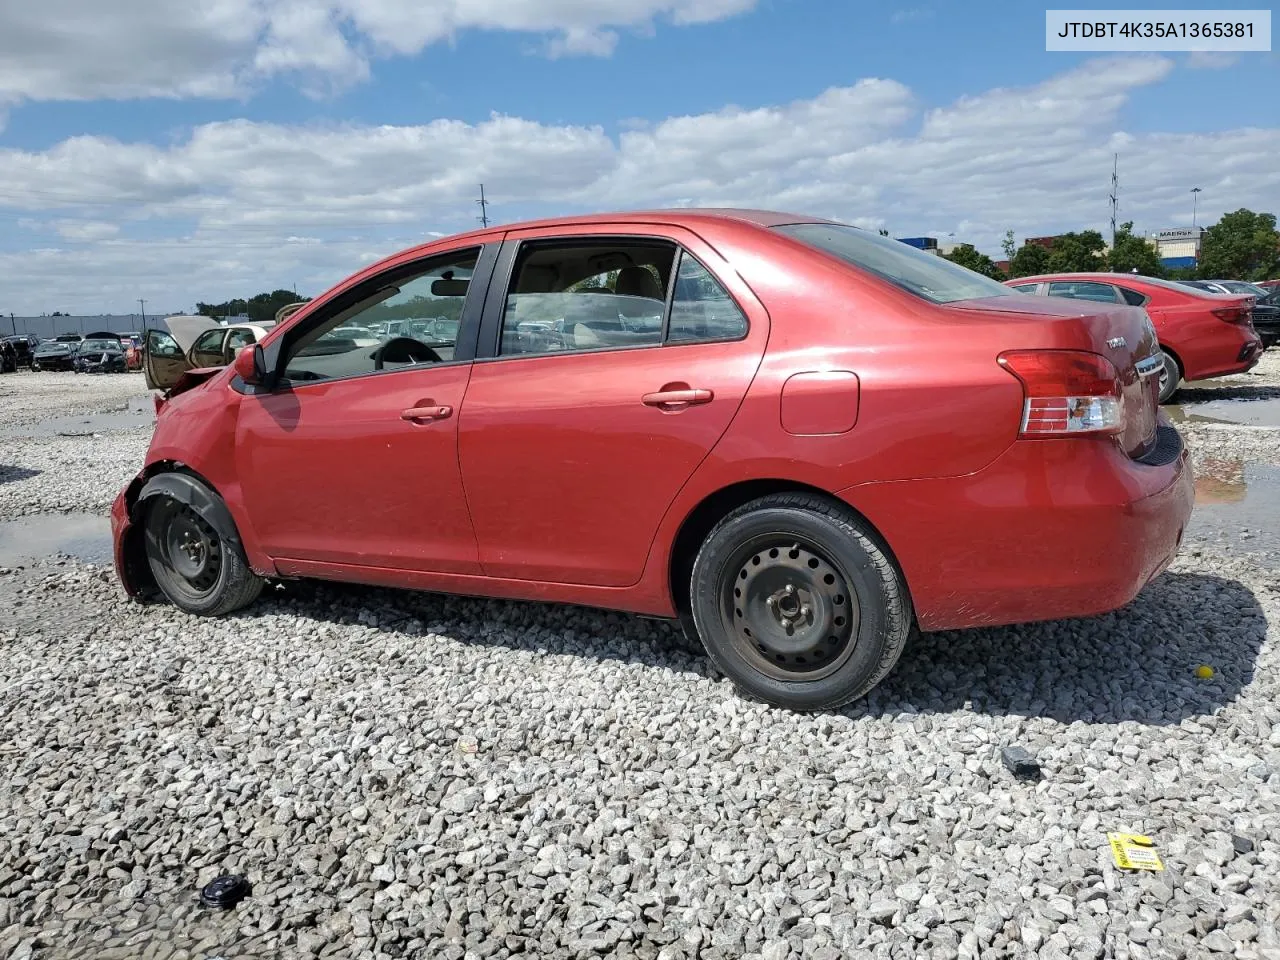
588,295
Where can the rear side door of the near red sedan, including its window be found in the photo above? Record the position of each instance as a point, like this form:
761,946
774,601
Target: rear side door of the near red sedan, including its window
609,382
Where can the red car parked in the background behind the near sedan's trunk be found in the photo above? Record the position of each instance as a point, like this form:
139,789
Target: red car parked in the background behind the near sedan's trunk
1201,335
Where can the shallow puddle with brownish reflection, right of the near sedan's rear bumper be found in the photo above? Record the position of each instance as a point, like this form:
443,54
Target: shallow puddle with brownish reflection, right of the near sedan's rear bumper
1238,501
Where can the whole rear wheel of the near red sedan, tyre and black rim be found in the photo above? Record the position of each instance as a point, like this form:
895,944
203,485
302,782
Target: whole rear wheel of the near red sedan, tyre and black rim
798,604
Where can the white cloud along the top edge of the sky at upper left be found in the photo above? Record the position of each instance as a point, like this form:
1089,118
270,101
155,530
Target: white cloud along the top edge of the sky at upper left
129,49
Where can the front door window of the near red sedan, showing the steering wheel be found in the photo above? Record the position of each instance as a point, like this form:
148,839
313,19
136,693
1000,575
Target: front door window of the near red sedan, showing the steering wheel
412,322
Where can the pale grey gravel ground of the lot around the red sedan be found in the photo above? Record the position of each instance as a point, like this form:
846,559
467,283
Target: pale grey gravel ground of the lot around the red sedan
419,776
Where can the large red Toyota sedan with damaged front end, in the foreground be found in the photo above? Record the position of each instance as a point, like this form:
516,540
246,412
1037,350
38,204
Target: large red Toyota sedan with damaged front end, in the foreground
801,440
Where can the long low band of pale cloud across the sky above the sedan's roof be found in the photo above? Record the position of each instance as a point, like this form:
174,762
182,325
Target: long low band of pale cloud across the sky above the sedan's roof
241,207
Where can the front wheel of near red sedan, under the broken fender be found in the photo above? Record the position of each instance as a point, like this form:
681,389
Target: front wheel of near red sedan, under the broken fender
199,570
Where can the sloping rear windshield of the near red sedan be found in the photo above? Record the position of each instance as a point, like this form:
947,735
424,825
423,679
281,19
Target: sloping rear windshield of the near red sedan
924,275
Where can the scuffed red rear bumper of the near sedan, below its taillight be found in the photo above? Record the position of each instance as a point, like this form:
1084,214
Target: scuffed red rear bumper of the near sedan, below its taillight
1053,529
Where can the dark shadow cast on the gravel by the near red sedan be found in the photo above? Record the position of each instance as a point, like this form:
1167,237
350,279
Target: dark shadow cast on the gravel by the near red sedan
1137,664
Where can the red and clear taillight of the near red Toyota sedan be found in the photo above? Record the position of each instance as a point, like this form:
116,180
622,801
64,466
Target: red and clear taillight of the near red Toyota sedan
1068,392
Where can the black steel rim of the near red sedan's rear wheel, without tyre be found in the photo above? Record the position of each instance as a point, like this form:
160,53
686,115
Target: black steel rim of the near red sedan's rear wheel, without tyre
789,607
